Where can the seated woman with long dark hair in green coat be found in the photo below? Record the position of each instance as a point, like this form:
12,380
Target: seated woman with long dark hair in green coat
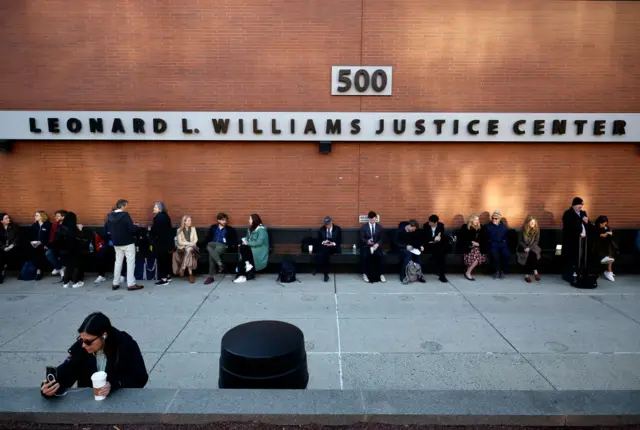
254,250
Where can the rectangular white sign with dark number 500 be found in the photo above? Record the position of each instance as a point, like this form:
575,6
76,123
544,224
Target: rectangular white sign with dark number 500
361,81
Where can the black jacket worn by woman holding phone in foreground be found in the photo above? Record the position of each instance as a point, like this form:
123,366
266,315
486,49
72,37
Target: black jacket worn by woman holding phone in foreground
125,365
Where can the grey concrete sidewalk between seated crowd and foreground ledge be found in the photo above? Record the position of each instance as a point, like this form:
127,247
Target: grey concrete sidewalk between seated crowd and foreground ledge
483,335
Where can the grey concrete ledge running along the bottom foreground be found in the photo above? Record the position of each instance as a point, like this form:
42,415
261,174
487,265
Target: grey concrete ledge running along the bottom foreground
324,407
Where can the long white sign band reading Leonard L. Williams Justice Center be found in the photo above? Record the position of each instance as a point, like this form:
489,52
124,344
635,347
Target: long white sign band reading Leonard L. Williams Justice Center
312,126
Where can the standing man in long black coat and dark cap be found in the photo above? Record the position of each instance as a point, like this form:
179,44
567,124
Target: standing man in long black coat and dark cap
575,226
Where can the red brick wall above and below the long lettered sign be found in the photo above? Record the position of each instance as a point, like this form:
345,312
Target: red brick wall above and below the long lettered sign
491,56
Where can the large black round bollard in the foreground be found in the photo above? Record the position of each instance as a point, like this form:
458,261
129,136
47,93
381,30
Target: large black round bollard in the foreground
263,354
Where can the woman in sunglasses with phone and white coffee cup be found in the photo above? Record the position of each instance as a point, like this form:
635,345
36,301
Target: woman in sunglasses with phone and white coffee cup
100,347
